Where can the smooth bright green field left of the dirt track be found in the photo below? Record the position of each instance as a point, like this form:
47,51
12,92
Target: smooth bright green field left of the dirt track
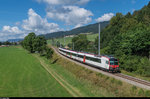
21,75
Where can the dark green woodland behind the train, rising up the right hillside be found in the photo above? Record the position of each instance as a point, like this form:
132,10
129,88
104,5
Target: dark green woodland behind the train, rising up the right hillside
127,37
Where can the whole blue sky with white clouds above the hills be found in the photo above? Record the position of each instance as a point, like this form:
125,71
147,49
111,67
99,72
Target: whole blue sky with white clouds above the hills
20,17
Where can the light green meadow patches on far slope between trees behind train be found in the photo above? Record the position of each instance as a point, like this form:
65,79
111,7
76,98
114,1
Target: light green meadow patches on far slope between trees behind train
91,37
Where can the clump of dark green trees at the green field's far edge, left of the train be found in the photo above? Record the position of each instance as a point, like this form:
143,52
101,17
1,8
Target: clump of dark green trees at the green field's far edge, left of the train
37,44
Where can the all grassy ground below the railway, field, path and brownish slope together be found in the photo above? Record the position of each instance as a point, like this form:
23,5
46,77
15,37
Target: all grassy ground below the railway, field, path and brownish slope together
29,75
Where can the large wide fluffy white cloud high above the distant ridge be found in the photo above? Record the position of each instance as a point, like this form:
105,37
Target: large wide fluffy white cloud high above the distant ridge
71,15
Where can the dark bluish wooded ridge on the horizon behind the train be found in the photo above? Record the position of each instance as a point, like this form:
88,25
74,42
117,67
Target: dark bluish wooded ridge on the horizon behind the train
85,29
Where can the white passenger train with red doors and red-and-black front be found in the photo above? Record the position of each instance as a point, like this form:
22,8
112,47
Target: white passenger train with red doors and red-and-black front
104,62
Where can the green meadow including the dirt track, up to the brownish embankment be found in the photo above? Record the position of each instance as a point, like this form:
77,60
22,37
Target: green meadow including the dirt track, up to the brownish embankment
29,75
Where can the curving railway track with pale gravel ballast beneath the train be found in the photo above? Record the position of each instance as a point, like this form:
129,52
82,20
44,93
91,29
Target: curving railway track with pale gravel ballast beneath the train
129,79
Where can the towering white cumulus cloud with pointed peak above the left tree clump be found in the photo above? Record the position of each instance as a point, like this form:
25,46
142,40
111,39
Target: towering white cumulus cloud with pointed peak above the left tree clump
36,24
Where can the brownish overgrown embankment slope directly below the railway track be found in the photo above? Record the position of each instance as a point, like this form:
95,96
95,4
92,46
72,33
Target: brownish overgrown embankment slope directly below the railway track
99,81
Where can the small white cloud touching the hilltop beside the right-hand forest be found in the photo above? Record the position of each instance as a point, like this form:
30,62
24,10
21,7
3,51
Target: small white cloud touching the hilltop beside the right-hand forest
105,17
